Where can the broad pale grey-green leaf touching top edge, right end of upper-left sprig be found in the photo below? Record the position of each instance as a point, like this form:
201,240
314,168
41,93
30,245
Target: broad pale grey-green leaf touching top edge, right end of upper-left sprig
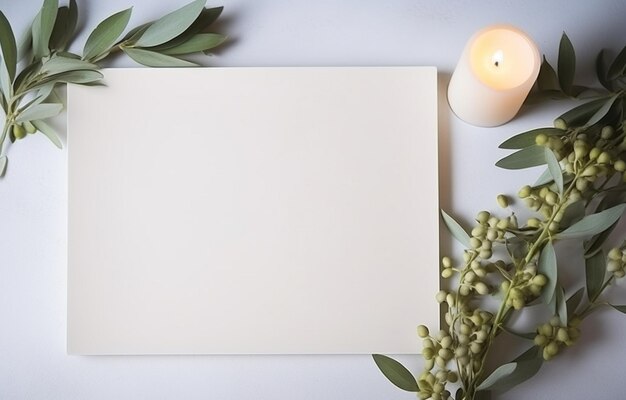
171,25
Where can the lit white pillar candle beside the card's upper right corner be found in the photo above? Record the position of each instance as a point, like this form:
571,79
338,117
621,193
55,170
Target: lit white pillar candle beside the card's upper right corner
497,69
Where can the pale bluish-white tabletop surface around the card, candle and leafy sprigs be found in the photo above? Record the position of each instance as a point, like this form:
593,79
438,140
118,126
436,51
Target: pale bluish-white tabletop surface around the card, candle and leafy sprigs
33,363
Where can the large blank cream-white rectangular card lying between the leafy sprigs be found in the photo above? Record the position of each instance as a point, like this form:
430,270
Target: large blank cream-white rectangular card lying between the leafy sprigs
253,211
